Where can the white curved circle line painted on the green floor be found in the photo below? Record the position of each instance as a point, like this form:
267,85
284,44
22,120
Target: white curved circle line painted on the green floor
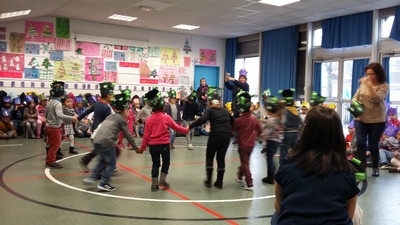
48,175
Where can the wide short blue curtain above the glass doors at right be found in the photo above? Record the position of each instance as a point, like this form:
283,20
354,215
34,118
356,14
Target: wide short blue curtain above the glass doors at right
347,31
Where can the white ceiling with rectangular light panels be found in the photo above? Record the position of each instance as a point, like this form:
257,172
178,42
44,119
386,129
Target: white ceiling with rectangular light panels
216,18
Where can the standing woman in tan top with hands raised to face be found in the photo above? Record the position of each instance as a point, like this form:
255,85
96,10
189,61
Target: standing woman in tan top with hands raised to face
370,124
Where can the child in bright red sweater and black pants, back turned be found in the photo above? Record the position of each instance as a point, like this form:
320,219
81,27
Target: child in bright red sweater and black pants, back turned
157,136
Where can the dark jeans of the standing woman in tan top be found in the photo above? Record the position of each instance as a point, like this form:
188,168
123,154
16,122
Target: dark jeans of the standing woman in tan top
368,133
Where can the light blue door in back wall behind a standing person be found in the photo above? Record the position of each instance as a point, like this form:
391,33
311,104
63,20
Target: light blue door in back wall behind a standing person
210,73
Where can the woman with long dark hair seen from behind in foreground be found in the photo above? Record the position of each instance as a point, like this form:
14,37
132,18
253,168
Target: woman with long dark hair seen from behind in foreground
316,184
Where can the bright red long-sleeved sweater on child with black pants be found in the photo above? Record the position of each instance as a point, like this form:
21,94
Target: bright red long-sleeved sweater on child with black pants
156,129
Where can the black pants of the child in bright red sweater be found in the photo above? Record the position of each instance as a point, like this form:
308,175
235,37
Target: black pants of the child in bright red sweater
156,151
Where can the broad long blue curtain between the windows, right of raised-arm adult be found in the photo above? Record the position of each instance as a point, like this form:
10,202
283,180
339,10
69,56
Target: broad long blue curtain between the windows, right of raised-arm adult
279,58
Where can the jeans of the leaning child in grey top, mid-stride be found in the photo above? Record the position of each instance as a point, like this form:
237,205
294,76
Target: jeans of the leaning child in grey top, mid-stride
106,163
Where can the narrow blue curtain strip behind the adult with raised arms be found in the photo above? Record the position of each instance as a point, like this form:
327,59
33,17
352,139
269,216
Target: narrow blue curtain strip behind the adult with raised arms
230,58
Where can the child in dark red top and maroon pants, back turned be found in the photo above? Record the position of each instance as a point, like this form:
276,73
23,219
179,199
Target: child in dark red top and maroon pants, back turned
248,129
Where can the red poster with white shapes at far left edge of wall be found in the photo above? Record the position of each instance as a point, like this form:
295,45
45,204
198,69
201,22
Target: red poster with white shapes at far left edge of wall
11,65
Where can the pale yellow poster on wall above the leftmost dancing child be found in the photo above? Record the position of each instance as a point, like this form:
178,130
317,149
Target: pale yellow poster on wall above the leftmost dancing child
68,69
